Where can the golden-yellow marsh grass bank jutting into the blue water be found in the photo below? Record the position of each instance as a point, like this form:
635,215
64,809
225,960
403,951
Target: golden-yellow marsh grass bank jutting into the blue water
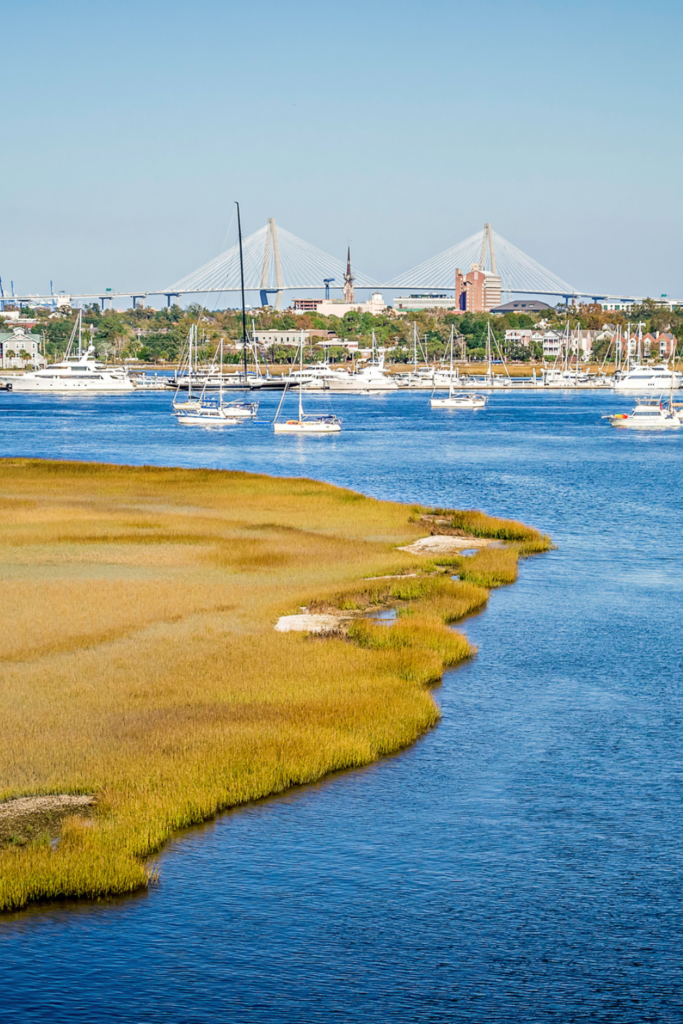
140,661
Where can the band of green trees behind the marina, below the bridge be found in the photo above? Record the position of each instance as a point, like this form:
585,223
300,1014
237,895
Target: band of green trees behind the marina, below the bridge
159,335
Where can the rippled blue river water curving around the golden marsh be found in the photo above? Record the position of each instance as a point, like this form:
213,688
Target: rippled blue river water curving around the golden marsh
524,862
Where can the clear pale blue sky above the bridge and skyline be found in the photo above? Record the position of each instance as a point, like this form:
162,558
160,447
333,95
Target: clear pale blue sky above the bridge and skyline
130,129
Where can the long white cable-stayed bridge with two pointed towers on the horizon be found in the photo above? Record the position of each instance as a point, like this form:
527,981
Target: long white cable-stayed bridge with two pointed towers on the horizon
277,262
